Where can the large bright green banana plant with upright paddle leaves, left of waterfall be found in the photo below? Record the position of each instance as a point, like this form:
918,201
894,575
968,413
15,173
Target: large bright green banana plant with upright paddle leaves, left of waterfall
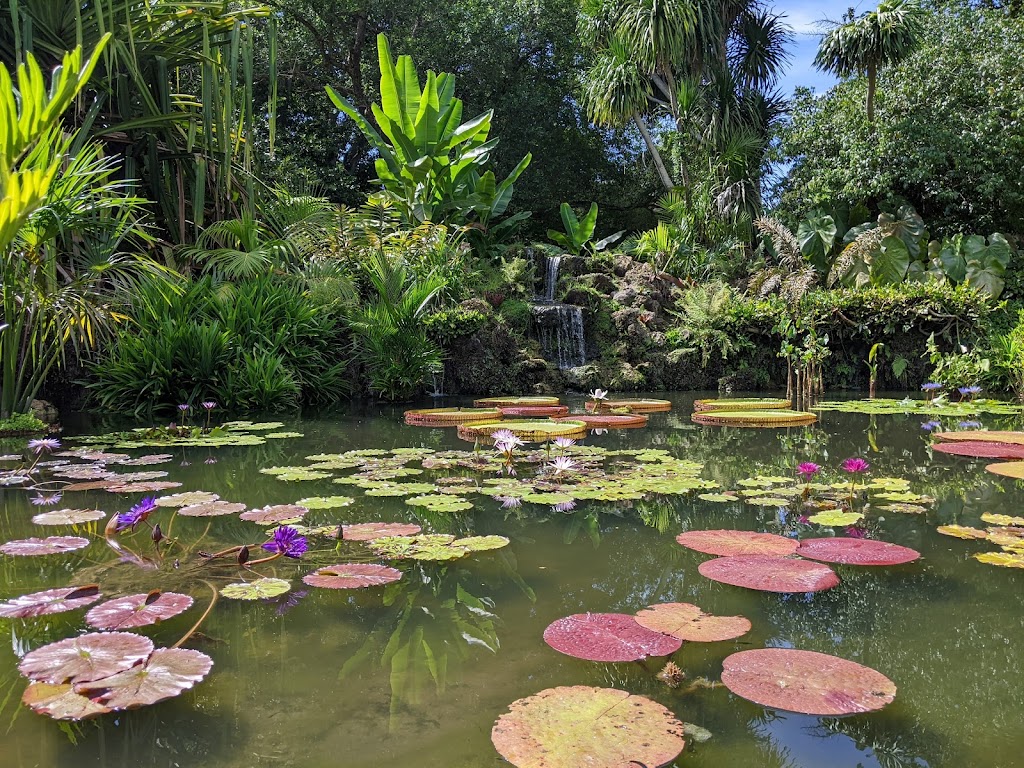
432,163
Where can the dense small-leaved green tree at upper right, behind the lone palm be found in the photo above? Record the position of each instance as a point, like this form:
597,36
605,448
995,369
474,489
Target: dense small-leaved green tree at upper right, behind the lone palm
946,140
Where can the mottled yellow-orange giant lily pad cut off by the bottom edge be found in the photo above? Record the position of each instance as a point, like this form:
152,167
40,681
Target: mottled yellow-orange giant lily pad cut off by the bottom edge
576,727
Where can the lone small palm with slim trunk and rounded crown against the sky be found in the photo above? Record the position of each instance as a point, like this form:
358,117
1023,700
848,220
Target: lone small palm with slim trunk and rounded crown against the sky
863,47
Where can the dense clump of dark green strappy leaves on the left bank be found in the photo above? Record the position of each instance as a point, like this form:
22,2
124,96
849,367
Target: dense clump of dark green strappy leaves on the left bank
258,345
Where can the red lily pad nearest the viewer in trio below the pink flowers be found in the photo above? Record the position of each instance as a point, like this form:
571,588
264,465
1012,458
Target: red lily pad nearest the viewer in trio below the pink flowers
771,574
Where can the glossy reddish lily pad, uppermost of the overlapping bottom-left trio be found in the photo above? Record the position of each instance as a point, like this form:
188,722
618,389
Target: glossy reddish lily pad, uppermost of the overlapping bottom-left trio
79,660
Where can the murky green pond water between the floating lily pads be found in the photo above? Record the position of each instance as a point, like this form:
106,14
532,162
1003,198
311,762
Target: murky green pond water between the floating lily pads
342,678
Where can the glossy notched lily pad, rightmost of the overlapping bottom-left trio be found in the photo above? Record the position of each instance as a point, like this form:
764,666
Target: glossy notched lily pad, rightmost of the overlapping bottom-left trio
167,673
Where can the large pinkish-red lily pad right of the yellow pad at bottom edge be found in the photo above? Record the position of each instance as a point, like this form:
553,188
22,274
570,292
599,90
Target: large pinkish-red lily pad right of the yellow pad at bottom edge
806,682
